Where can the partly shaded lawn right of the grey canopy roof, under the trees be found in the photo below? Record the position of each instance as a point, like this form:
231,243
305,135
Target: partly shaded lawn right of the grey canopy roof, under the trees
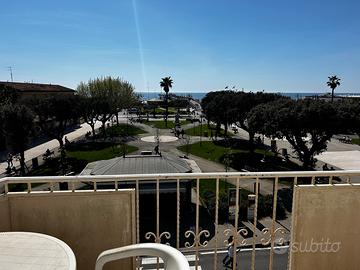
236,154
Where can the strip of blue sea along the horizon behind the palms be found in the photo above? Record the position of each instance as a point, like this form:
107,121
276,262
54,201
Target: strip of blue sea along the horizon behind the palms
200,95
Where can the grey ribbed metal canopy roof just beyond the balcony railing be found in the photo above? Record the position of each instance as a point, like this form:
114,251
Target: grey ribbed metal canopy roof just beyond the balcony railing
137,164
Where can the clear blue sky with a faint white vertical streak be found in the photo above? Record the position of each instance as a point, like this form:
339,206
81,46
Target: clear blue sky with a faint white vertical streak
204,45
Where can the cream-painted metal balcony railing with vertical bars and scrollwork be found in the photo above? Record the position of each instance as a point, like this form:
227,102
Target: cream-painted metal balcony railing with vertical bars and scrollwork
197,237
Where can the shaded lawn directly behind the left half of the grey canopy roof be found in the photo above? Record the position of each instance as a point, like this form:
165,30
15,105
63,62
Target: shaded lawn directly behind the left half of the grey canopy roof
98,151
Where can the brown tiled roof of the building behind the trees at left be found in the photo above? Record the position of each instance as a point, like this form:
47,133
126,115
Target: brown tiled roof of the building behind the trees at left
36,87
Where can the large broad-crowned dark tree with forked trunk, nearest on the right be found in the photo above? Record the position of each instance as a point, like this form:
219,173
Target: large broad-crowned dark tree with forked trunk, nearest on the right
307,125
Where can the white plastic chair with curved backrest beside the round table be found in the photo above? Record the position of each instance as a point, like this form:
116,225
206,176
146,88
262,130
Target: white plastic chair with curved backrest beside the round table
173,259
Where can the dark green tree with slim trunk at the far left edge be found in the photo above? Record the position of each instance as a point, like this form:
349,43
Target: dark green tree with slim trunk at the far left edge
17,122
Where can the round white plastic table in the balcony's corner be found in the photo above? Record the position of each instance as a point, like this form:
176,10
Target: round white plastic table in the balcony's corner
30,251
